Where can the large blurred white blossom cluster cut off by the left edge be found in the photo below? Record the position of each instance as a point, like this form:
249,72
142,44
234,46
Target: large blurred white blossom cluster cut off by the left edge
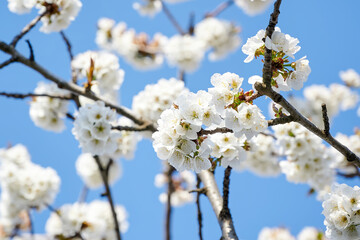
24,185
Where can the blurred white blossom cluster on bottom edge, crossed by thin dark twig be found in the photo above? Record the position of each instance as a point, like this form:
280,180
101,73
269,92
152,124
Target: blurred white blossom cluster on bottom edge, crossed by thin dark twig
89,220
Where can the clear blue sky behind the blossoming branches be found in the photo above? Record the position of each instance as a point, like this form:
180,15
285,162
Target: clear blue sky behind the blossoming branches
329,35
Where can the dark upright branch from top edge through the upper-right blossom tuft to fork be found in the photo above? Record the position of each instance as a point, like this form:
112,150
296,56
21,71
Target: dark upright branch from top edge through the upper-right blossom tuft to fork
267,70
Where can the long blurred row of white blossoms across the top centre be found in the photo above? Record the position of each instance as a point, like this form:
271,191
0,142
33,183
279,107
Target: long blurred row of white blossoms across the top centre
183,51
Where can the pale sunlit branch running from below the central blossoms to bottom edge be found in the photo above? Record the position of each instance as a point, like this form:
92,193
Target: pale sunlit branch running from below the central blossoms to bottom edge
213,194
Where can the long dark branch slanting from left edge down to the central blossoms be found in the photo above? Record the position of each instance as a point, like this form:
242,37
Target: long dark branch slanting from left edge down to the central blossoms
65,85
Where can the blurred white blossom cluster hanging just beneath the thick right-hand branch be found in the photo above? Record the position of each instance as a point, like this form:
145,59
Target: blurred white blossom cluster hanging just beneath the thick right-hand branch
307,159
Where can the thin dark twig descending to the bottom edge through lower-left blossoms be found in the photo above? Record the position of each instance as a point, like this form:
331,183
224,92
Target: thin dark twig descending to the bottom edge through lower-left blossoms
109,196
